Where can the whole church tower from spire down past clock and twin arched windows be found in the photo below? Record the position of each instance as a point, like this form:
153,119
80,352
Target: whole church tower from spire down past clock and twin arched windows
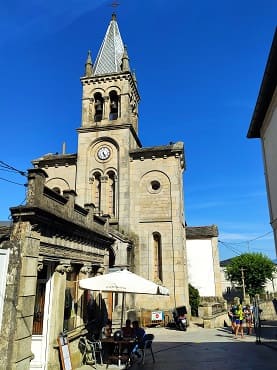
109,128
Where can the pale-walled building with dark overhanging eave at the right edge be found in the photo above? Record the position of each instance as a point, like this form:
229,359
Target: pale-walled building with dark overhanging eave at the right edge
263,125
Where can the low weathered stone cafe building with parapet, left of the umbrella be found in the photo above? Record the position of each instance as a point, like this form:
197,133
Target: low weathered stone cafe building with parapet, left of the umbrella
53,234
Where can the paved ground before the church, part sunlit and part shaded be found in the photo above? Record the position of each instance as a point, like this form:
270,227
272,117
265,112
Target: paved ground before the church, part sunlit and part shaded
207,349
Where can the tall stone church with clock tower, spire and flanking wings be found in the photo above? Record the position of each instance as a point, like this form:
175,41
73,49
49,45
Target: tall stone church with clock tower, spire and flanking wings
139,191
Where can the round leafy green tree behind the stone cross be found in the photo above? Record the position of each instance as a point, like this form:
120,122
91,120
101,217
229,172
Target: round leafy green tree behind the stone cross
257,268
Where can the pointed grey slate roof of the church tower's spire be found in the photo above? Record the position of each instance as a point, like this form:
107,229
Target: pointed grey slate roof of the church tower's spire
109,57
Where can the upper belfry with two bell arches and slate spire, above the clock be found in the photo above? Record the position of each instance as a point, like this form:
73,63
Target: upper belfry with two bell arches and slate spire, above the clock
110,95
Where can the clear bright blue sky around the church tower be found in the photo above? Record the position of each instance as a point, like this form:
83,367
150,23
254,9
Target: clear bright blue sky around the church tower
199,67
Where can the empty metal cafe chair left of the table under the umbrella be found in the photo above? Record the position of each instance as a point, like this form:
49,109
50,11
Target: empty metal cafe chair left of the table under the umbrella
91,351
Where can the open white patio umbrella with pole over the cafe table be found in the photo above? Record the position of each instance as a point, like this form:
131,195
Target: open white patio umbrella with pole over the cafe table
122,281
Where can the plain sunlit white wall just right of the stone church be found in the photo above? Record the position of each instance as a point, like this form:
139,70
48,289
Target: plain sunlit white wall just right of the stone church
200,266
